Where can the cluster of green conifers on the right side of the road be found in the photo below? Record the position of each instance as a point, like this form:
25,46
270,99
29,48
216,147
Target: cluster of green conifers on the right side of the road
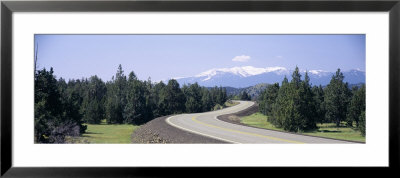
297,106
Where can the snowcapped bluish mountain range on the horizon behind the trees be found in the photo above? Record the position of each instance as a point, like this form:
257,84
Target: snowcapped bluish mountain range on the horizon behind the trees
240,77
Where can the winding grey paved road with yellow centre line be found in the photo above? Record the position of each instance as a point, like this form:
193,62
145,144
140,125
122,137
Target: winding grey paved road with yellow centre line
208,125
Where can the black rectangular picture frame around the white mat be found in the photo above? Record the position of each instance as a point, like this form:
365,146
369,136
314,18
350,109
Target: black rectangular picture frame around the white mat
8,7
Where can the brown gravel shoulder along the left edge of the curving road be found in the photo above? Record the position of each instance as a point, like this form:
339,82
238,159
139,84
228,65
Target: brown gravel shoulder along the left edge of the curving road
159,131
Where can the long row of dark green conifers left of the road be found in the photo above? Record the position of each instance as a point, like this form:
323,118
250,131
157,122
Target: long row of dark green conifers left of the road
62,108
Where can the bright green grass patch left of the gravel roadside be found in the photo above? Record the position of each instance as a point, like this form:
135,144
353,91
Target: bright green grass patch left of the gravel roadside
105,133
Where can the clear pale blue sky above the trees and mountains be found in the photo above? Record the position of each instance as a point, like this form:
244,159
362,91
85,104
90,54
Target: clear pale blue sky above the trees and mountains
165,56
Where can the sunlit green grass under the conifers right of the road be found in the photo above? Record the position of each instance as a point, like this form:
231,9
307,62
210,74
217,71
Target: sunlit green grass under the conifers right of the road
328,130
